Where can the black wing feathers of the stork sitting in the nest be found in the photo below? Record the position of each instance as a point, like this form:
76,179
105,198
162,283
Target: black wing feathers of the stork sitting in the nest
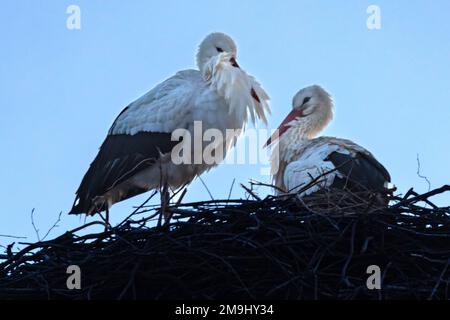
361,171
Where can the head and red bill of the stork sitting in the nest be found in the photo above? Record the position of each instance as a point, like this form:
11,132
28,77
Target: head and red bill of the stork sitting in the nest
312,111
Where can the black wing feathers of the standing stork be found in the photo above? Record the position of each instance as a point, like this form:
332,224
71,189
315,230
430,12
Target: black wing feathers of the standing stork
120,157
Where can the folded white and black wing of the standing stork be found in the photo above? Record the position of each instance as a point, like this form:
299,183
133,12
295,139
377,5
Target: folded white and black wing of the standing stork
137,138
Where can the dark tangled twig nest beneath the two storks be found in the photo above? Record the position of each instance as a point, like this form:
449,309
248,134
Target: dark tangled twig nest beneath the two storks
274,248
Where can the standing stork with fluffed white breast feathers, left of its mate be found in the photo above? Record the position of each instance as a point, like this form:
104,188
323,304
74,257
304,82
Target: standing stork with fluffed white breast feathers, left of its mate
137,153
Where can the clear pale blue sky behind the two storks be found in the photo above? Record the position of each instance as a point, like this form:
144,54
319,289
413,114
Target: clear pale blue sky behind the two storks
61,89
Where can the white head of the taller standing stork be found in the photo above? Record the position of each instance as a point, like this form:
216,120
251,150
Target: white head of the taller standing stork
213,45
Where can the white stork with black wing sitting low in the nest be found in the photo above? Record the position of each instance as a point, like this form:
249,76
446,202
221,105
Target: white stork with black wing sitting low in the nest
300,160
